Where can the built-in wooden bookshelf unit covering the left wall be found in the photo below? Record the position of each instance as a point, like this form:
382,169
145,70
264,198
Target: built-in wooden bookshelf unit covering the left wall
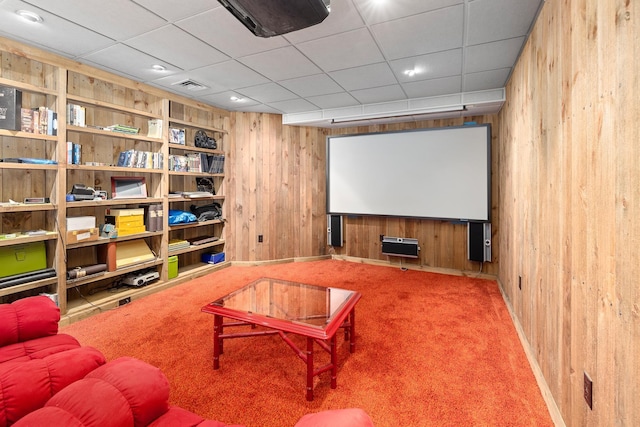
88,156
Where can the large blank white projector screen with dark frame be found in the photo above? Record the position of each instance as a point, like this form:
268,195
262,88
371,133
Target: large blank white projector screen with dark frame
442,173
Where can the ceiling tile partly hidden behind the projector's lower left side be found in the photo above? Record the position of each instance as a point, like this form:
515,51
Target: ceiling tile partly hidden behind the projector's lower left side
221,30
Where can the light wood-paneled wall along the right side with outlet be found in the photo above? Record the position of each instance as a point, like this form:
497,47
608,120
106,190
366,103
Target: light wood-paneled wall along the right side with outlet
570,204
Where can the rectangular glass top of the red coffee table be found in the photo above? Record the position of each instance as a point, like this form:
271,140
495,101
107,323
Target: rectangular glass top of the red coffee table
310,305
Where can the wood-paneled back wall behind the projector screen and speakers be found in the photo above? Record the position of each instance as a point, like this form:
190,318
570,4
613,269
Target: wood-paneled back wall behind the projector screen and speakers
277,189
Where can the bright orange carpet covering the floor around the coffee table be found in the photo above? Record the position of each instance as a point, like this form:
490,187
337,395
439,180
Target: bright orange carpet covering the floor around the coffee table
432,350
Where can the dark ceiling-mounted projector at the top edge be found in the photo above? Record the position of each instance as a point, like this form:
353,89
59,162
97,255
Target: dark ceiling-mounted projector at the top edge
275,17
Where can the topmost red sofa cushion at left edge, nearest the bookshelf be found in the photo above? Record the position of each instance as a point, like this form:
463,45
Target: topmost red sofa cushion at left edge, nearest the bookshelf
27,319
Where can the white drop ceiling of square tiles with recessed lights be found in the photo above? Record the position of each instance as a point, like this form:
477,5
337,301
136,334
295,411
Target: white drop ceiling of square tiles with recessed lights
350,67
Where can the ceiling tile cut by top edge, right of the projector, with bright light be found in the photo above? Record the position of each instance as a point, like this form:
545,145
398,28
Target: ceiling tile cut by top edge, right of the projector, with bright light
375,12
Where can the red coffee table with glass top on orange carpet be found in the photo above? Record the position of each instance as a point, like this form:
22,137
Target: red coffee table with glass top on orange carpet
314,312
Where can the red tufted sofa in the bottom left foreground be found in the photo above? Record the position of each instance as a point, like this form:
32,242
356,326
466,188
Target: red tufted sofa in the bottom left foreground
48,379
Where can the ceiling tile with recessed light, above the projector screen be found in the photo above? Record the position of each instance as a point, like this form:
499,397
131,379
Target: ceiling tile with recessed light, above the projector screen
430,66
